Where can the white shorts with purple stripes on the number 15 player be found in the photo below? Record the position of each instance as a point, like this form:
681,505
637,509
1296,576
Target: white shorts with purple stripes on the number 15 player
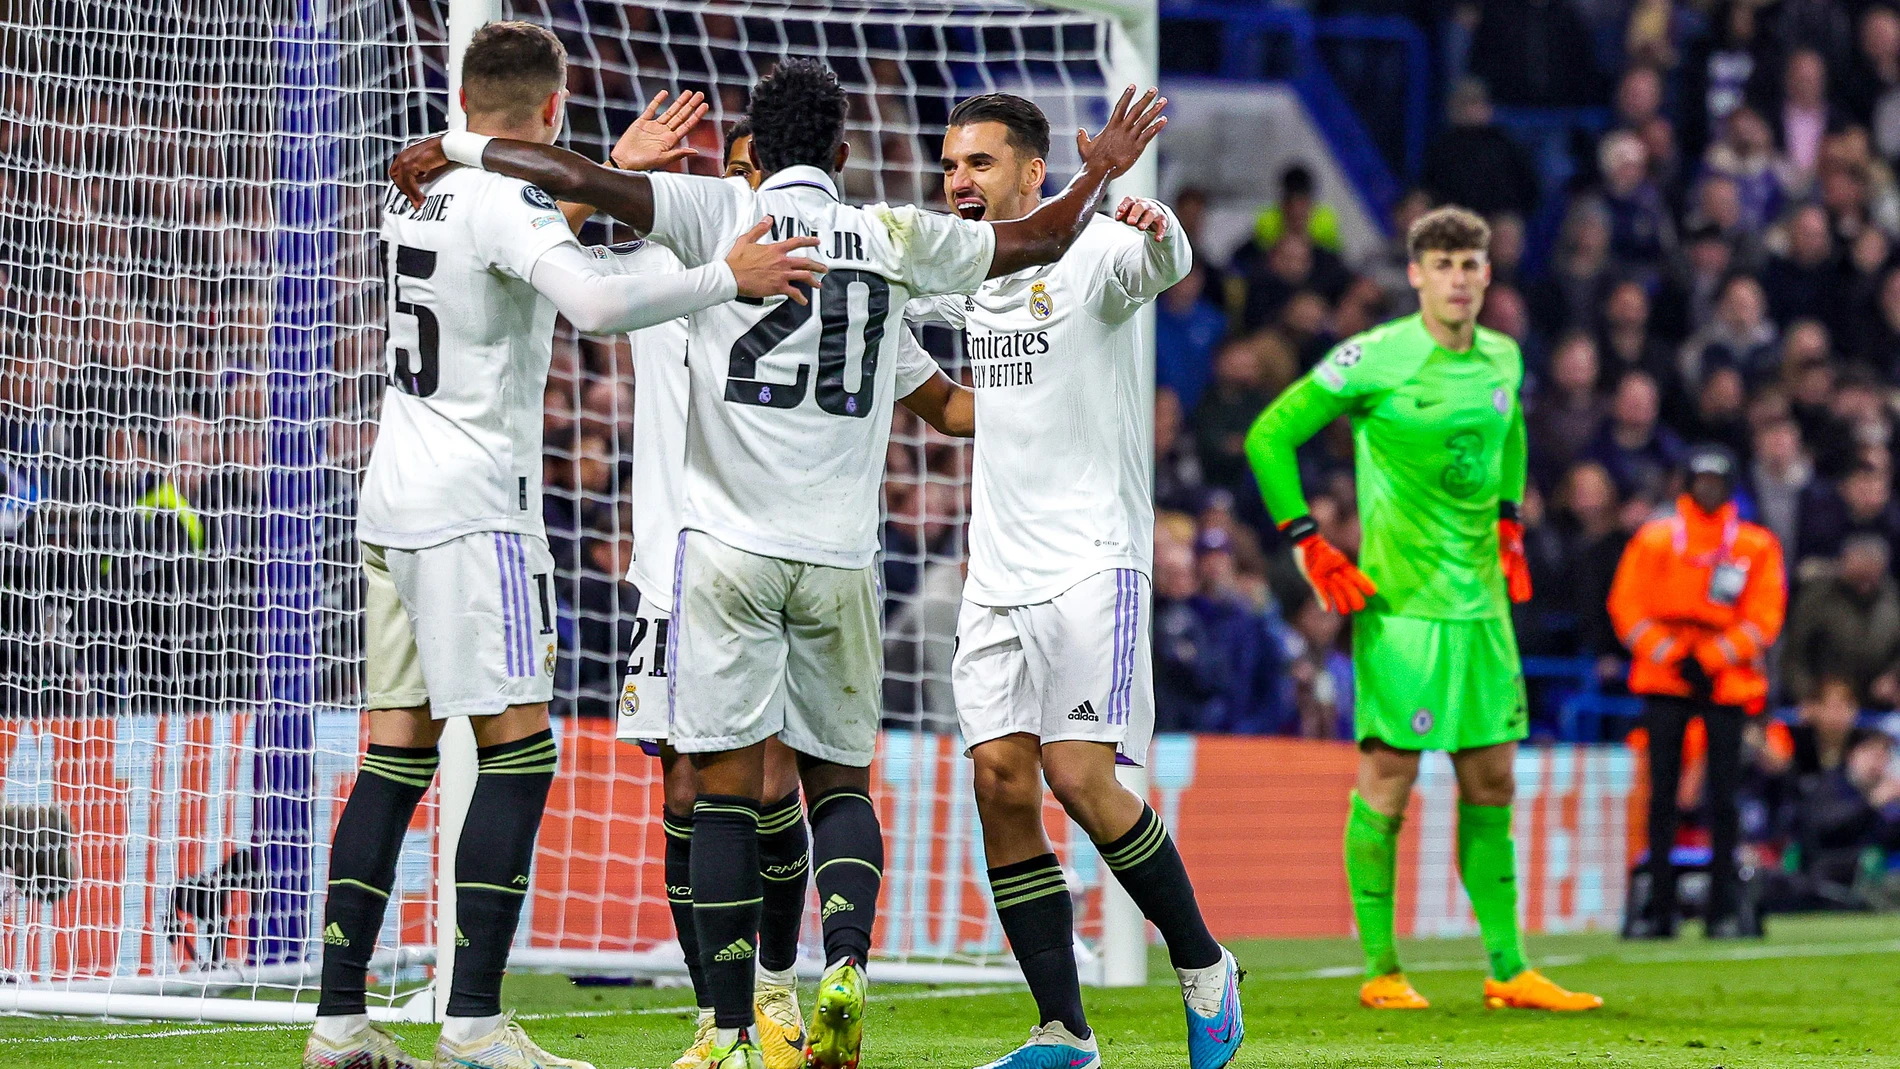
465,626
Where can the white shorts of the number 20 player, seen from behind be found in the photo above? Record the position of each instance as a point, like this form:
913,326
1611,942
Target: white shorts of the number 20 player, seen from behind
767,647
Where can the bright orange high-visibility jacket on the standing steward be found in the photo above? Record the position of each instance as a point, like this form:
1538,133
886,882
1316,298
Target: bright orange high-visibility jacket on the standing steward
1701,586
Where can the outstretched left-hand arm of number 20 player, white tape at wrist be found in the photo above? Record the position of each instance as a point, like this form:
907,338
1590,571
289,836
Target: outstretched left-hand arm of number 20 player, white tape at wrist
565,176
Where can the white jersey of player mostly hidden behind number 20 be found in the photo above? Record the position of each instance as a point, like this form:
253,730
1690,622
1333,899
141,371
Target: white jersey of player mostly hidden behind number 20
658,426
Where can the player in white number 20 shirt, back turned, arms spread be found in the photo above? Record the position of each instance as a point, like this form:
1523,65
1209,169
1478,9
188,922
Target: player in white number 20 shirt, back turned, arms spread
774,582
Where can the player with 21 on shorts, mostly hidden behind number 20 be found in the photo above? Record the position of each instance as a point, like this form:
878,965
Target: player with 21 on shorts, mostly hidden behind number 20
658,470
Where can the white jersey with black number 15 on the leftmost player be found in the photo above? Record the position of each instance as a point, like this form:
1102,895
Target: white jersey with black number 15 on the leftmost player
468,350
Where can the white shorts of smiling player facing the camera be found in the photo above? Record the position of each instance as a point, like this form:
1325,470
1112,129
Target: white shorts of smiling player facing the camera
1074,667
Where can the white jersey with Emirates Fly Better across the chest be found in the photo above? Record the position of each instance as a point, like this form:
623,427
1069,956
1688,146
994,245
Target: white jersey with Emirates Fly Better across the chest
1065,464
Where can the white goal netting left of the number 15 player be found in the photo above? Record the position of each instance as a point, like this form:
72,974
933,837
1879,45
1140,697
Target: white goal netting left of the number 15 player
189,202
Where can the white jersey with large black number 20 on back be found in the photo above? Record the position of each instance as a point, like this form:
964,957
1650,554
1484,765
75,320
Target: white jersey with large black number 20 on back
791,403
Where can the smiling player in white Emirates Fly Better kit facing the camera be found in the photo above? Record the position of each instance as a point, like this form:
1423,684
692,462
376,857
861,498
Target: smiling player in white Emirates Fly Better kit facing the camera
1052,671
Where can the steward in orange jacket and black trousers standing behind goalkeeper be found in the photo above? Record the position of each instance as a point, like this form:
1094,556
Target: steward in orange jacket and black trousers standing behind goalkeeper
1700,599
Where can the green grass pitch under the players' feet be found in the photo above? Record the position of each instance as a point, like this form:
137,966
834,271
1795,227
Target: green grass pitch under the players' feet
1819,992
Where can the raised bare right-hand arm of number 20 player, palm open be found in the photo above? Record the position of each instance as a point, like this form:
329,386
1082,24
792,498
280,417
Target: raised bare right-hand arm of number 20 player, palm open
1048,233
